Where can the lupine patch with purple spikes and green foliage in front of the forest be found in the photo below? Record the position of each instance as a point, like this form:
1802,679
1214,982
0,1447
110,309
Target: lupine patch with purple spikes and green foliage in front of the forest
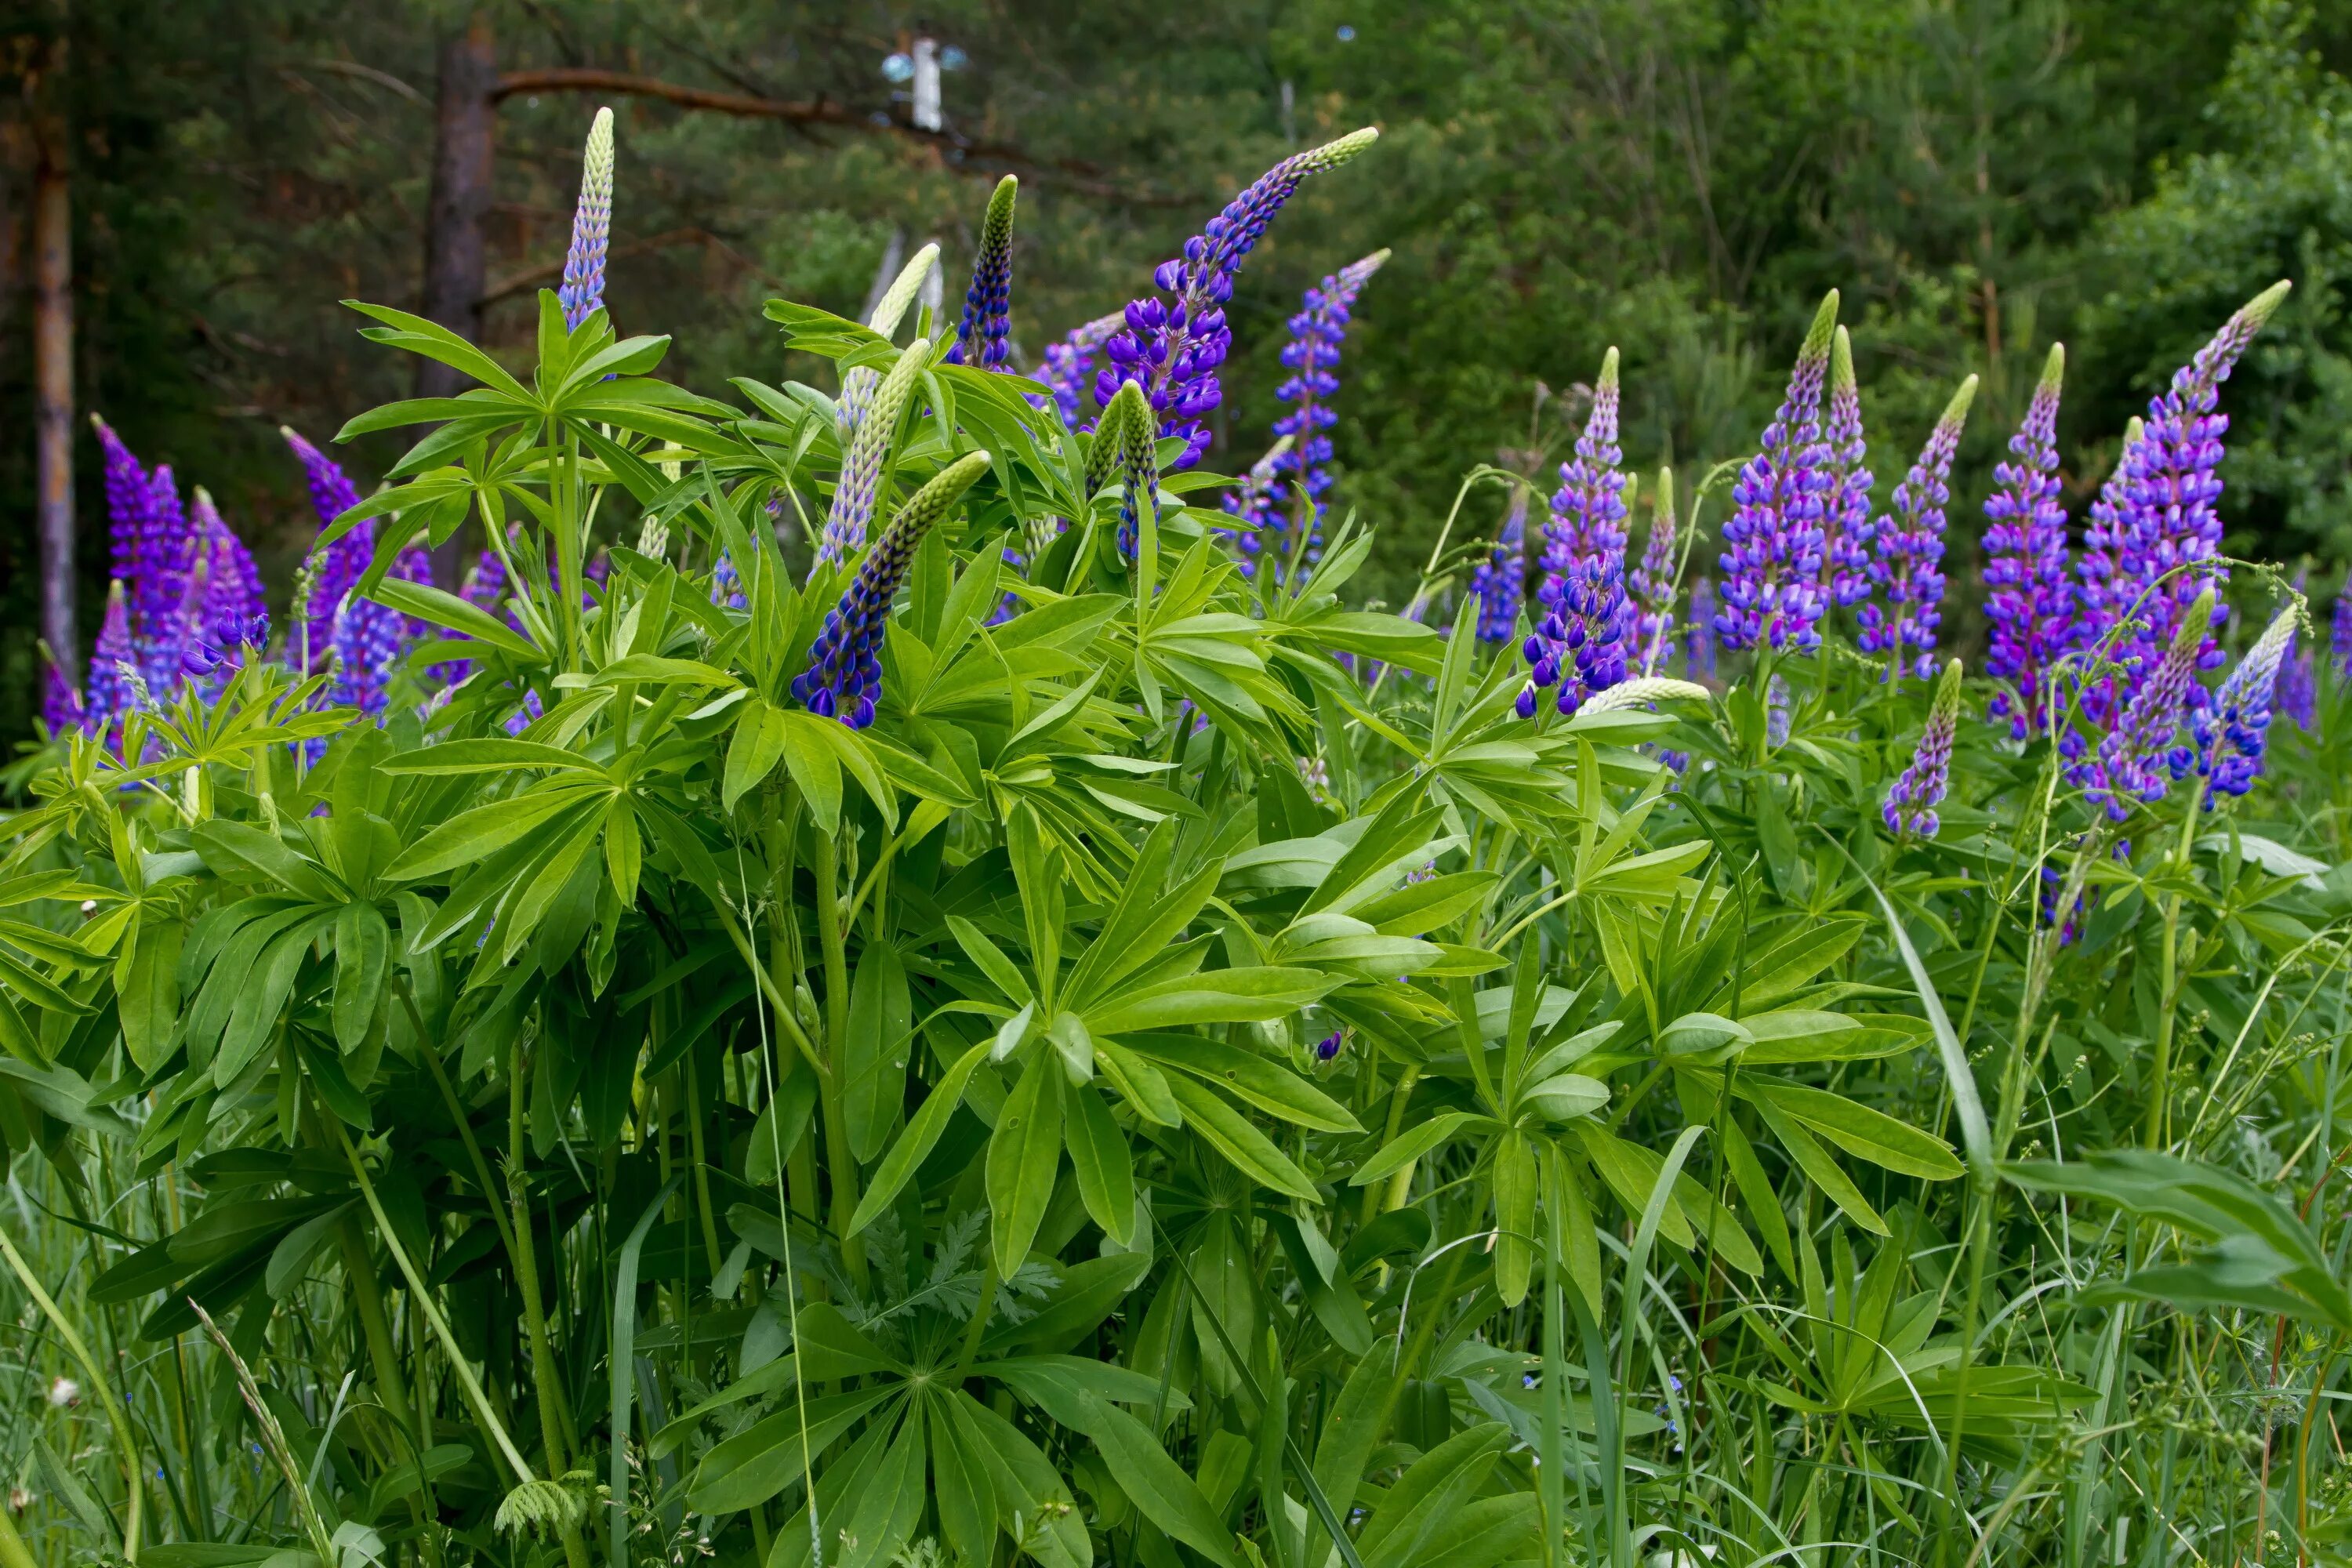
904,977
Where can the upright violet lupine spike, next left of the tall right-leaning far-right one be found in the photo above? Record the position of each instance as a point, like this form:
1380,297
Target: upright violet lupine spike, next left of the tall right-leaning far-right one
2026,563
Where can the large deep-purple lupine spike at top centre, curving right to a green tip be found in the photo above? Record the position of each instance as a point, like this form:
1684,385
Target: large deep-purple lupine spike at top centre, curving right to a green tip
1175,347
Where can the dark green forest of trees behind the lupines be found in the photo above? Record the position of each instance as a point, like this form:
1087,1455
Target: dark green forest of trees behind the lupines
1678,177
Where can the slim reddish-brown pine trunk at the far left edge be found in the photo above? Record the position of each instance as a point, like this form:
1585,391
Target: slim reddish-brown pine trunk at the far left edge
53,387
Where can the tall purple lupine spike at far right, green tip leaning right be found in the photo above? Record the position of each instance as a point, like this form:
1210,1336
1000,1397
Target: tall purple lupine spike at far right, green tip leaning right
2167,490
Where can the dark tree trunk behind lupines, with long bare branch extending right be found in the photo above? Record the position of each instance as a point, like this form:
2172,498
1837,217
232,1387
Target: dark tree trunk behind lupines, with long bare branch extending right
465,133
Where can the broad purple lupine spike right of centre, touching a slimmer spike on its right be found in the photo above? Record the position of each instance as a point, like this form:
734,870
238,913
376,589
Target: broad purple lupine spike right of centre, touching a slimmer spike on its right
1772,544
